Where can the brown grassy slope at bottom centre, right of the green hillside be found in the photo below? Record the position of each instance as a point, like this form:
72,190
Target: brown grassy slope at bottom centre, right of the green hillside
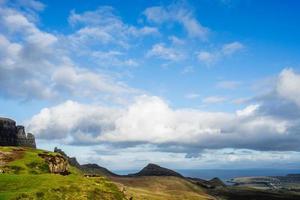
160,188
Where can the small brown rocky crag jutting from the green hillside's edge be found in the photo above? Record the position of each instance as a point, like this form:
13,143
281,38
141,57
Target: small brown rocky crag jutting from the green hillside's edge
57,163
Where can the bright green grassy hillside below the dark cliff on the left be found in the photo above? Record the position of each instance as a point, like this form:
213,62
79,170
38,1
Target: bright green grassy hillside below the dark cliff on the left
25,175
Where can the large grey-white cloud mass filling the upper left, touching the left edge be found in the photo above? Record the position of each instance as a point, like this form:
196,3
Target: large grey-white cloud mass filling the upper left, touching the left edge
36,64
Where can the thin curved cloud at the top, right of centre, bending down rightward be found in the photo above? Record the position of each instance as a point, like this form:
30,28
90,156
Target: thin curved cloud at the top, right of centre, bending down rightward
179,14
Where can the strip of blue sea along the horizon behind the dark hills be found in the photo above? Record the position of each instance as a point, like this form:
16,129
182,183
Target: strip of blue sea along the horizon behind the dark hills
227,174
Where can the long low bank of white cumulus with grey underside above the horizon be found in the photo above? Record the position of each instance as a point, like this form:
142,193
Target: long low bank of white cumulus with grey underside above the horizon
150,120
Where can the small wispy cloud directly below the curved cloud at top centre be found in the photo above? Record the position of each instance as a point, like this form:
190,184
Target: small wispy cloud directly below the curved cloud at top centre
166,53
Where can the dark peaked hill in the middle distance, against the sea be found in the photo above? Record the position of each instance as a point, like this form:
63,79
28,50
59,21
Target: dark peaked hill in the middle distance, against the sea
155,170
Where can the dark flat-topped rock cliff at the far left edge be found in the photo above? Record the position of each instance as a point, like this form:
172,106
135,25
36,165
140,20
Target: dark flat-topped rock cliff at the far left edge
12,135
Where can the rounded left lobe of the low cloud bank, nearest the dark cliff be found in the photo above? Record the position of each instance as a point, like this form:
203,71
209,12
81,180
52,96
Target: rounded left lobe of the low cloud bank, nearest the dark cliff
84,122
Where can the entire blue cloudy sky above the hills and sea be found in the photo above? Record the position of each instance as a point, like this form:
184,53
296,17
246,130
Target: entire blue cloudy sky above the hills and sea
207,84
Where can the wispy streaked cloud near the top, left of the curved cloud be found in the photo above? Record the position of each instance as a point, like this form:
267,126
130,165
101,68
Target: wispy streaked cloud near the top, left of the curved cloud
104,26
